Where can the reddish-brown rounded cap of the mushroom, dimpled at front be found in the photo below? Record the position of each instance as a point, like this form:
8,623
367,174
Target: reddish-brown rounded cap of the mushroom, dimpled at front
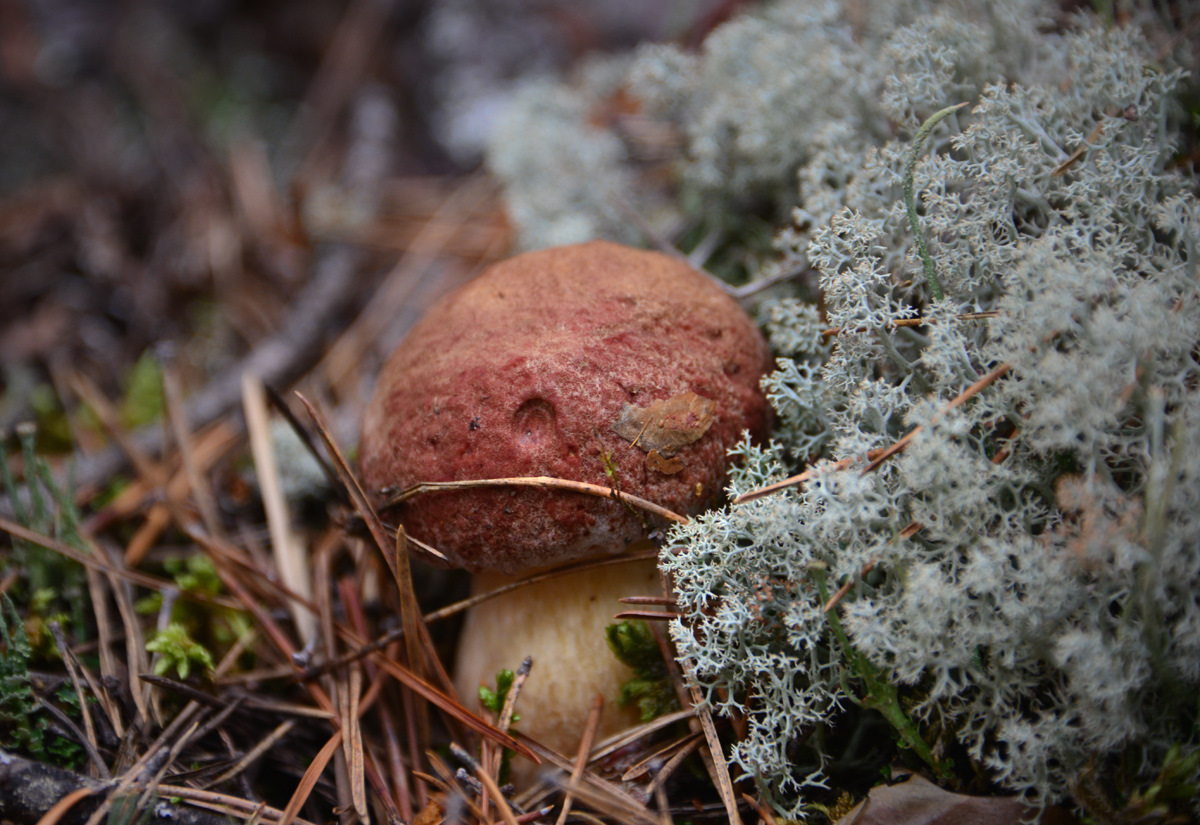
525,372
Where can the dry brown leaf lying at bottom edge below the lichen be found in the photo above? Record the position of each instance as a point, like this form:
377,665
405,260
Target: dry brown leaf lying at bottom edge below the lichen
919,802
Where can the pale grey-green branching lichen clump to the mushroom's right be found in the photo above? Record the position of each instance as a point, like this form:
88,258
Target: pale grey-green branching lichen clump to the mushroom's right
1035,552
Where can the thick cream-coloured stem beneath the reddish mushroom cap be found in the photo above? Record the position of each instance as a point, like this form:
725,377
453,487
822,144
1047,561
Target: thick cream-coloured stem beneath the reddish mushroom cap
560,623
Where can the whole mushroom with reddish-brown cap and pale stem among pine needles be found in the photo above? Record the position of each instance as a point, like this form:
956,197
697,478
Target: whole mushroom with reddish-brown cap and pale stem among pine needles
592,363
